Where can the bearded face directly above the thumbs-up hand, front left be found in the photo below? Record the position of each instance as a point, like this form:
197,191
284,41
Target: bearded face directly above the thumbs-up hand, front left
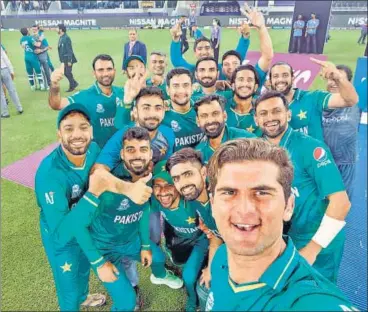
136,155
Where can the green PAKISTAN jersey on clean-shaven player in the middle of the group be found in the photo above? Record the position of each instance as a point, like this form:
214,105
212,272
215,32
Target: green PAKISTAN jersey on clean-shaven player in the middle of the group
187,133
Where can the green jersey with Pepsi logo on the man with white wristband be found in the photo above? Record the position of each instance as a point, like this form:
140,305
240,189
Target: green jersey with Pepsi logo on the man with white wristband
315,177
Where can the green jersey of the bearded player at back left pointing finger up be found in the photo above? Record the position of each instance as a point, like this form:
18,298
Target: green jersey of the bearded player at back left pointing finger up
102,110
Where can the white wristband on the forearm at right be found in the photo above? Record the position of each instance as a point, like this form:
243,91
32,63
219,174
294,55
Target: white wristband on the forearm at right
327,231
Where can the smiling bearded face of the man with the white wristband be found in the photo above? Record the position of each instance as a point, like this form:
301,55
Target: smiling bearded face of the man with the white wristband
272,117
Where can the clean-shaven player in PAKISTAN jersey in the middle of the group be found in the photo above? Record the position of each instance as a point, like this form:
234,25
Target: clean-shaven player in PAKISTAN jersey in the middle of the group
181,116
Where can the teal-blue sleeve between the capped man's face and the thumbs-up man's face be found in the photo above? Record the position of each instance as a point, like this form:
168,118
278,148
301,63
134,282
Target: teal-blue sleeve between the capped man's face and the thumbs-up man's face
110,154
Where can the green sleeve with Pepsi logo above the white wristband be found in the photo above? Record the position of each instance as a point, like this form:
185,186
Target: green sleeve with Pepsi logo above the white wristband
320,164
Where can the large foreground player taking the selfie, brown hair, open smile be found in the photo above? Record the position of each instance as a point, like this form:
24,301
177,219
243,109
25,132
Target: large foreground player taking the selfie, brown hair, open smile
258,269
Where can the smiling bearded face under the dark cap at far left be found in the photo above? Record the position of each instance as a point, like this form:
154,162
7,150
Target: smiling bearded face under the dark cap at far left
75,133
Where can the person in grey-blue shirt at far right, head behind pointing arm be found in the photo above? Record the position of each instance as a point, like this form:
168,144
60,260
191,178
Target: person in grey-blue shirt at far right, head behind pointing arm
340,129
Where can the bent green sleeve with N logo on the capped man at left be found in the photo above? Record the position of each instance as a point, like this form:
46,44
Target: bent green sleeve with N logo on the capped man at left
52,199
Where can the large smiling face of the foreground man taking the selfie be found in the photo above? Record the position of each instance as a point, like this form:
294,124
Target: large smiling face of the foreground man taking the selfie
249,206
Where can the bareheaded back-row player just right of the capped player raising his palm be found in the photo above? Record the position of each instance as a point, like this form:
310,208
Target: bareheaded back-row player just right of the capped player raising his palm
157,66
